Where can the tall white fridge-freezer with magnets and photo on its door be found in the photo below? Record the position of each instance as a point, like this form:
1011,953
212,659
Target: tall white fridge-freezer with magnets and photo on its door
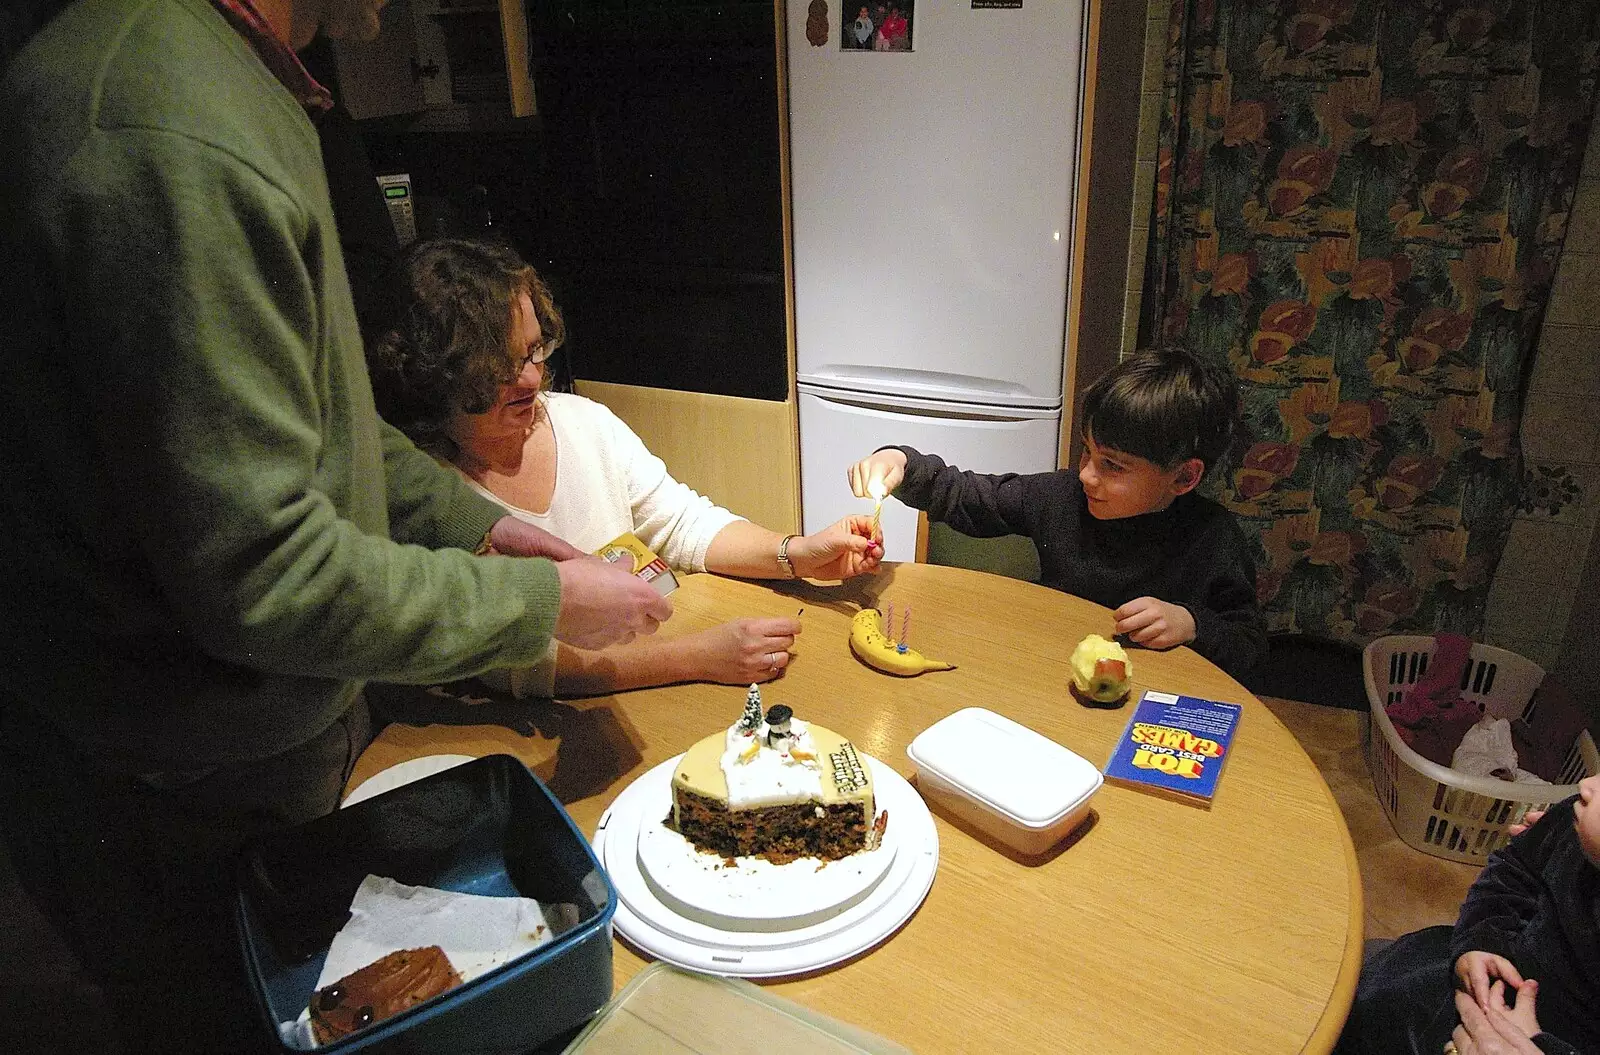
934,198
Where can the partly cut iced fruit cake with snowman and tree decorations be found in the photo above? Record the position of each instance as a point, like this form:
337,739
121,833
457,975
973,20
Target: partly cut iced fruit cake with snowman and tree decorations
777,788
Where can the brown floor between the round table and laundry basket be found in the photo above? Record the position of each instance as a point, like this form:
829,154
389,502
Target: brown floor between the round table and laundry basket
1404,888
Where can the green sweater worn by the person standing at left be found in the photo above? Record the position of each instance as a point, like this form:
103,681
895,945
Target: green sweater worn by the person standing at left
209,539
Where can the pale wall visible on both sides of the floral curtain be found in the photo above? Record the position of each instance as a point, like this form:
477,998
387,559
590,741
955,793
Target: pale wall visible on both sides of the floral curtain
1546,593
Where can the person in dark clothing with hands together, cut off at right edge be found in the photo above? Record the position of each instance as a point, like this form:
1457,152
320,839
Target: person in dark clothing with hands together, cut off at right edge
1529,934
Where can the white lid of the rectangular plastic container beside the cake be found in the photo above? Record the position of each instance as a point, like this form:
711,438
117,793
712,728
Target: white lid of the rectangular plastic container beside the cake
1009,768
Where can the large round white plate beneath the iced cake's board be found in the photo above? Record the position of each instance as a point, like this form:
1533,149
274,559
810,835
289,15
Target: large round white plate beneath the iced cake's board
711,944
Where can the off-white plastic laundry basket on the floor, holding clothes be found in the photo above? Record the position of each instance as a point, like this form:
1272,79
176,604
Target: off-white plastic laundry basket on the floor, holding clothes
1433,808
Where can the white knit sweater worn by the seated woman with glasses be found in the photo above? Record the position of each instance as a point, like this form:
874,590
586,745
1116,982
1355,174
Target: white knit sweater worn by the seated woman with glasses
607,483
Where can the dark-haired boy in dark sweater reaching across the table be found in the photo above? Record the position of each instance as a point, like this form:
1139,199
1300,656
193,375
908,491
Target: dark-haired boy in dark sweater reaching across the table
1127,529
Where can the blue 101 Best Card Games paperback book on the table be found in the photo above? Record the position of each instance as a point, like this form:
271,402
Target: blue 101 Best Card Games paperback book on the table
1175,747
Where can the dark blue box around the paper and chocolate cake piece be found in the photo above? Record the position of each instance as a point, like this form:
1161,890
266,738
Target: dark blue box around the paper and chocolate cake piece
490,828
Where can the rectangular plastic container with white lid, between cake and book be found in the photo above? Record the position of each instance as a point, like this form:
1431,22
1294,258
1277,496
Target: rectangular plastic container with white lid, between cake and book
1004,779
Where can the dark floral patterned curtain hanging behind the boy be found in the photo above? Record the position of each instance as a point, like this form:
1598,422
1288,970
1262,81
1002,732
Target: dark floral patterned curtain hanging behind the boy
1359,207
